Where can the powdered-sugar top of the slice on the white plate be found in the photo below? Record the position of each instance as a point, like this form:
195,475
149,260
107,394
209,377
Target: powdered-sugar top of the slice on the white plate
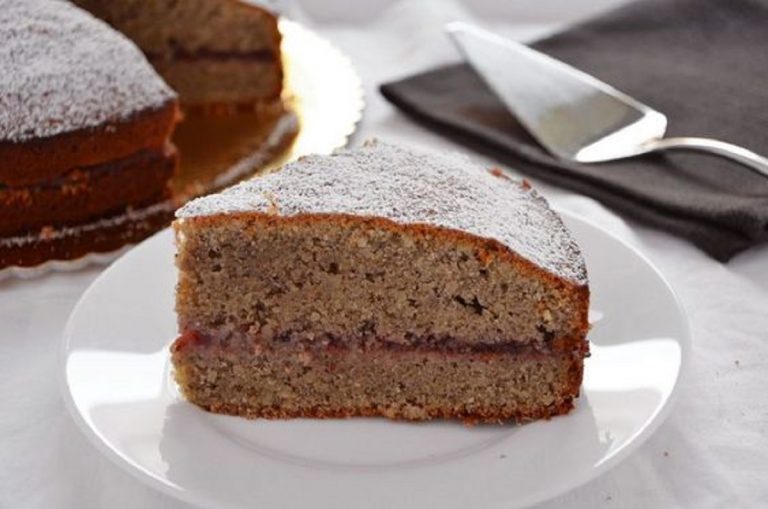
410,187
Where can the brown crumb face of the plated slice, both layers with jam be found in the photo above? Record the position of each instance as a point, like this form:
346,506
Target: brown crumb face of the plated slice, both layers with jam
331,315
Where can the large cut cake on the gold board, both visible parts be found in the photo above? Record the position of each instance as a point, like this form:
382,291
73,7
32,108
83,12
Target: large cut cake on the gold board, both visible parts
86,158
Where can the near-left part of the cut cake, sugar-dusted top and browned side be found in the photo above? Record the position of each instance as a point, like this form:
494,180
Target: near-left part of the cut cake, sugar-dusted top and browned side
85,123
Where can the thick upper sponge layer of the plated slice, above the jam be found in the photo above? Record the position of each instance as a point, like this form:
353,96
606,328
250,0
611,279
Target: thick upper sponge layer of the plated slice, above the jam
310,277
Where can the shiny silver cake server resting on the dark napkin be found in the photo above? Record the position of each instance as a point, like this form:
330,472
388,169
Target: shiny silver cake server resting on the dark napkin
572,114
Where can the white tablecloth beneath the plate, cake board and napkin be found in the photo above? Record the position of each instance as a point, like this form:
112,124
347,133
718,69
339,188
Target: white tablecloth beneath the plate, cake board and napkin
712,451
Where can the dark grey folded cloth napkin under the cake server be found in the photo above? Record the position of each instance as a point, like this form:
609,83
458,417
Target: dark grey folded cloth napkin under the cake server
704,63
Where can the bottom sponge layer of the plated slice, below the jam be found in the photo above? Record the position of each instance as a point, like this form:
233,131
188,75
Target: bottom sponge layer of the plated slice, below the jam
283,381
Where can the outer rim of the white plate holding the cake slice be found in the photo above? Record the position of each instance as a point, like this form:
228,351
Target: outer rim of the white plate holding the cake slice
202,499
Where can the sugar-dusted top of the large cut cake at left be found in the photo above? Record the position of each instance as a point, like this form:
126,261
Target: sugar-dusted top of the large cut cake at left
64,70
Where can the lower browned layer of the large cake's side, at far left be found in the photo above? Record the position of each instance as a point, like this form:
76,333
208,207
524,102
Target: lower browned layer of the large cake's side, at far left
88,193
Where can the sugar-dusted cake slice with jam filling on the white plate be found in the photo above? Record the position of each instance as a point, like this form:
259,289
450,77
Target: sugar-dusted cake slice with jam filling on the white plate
379,282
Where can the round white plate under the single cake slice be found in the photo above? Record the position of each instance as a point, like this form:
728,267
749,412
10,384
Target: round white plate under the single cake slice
116,383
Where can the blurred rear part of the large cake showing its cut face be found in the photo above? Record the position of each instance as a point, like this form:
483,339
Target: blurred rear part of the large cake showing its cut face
219,55
